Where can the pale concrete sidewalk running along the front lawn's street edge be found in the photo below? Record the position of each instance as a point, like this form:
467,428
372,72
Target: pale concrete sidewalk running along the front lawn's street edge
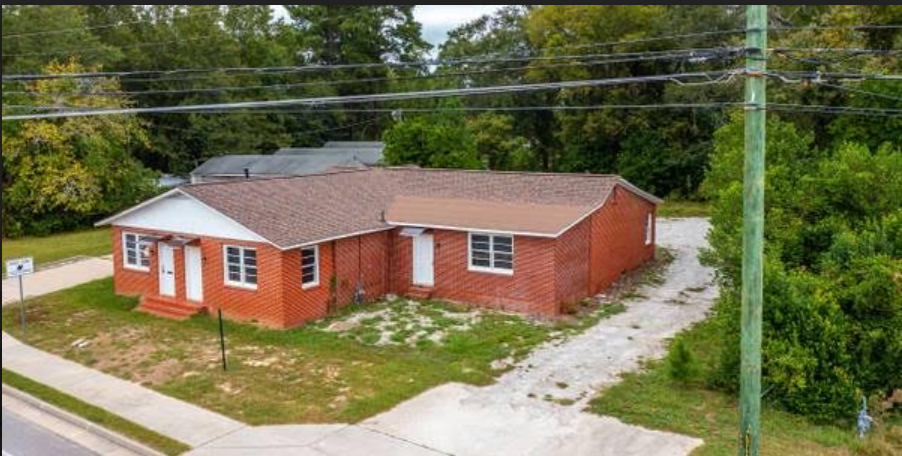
208,432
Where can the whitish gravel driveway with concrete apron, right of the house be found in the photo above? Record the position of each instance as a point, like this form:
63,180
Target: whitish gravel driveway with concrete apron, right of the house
522,414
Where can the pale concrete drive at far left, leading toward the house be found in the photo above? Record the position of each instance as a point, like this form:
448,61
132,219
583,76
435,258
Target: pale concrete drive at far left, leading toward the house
59,276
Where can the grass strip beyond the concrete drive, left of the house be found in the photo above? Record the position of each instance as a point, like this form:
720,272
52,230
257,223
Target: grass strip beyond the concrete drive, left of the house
56,247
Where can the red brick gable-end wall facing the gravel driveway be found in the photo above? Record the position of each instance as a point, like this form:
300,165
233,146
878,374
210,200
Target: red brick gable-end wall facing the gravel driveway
618,238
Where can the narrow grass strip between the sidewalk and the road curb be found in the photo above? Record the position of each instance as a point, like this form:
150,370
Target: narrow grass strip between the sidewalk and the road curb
94,414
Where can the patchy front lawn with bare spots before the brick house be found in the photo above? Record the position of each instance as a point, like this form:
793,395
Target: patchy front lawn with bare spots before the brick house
302,375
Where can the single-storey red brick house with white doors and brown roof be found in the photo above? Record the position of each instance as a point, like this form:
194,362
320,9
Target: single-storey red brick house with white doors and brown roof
285,251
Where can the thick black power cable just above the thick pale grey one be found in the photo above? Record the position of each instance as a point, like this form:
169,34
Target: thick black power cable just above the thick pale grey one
692,55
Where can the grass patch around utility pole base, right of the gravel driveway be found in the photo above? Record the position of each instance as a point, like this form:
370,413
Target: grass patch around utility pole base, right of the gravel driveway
651,399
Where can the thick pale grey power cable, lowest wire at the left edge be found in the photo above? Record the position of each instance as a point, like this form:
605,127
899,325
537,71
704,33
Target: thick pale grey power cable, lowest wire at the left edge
707,78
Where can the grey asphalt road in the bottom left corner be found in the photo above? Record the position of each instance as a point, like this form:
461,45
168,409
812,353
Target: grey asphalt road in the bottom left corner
24,438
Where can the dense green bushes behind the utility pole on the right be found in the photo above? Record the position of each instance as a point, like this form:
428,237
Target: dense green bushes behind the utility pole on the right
833,269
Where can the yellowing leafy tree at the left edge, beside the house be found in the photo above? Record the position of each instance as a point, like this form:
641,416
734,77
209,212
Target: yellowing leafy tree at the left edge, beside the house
60,174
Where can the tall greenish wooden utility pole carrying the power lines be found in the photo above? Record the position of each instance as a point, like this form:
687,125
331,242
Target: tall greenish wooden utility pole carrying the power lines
753,230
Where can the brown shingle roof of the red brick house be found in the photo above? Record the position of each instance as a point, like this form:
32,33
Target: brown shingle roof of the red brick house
302,210
